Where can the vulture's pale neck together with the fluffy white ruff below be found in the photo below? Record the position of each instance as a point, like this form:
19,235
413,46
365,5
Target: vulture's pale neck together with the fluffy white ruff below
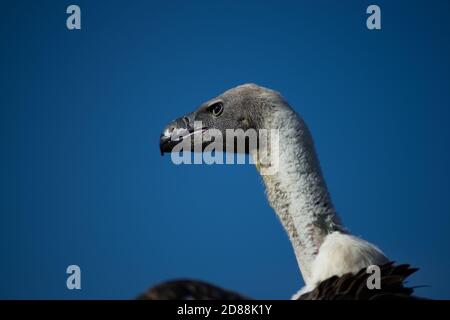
299,195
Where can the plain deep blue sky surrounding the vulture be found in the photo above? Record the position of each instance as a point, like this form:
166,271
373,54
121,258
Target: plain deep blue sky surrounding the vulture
82,181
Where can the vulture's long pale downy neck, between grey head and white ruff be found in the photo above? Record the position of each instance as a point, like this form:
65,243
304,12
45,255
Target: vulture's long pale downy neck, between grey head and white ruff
296,188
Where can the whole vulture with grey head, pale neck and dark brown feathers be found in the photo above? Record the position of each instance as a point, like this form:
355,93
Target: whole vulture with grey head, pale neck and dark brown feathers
332,262
